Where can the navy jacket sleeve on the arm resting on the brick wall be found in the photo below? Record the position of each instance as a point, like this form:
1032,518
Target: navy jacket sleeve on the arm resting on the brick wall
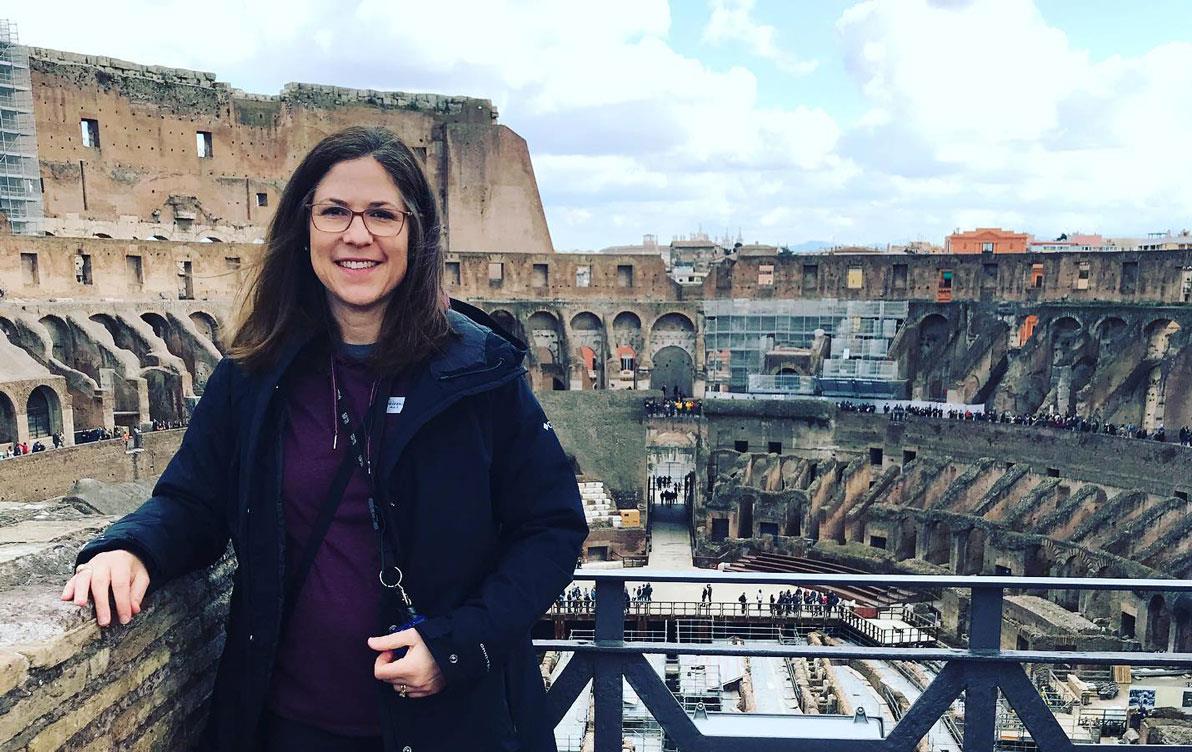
184,526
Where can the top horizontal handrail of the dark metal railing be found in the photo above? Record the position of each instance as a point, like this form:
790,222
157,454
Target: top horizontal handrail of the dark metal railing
916,582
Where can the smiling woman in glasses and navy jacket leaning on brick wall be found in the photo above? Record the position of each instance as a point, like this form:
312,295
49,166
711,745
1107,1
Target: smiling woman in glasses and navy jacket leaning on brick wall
400,508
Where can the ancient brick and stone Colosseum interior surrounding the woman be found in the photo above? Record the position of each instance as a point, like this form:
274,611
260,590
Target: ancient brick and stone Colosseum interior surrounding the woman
116,314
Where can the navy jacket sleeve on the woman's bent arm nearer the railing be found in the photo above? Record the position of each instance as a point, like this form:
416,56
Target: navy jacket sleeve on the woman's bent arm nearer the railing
537,502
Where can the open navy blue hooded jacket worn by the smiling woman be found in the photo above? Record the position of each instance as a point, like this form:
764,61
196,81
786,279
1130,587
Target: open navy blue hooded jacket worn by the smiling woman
491,523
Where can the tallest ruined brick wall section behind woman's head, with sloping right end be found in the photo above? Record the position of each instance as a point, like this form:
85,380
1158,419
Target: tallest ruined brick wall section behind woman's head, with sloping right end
147,176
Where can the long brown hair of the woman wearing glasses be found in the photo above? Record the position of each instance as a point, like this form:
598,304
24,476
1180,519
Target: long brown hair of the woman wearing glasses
285,299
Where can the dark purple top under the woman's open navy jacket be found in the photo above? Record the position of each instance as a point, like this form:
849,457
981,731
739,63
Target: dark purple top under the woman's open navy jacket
325,668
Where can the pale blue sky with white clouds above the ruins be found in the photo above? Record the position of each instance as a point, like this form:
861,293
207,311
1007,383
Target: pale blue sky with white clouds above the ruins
780,122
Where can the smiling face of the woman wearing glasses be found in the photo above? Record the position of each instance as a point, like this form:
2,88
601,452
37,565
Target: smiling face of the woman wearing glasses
359,270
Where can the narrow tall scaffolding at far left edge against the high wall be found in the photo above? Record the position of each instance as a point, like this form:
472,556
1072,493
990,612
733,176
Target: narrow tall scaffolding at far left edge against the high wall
21,185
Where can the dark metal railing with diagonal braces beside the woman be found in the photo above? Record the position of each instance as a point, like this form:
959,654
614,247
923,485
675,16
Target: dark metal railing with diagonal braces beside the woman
979,672
